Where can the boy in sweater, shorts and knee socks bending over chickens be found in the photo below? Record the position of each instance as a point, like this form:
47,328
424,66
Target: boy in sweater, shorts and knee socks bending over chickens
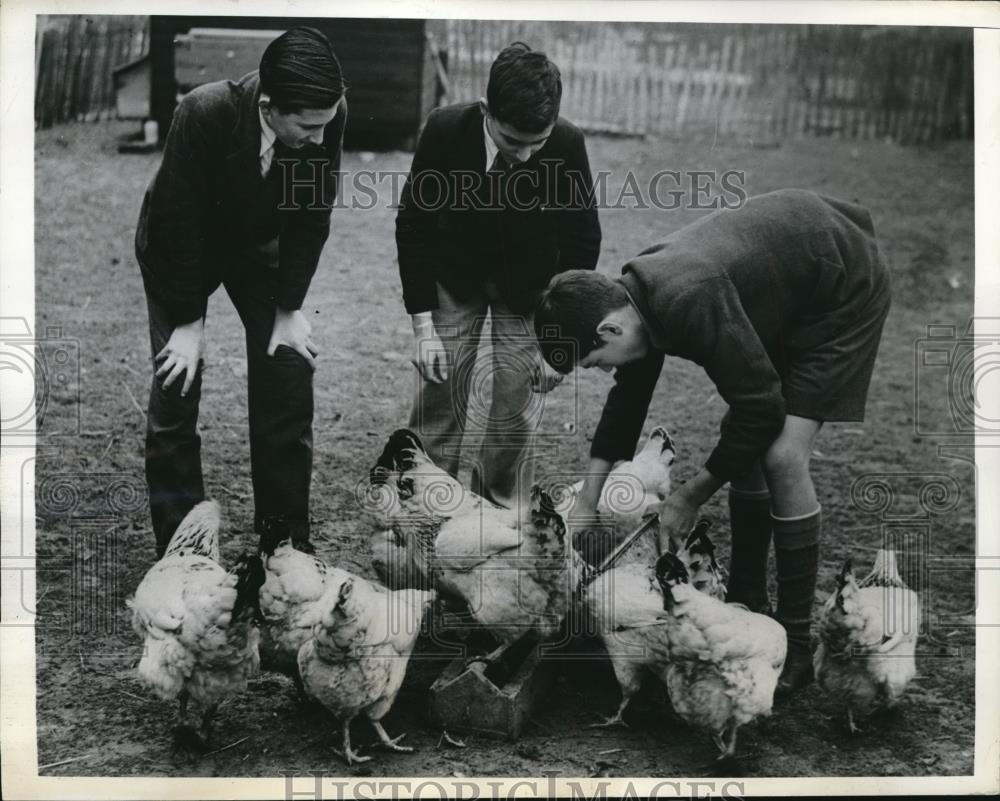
782,302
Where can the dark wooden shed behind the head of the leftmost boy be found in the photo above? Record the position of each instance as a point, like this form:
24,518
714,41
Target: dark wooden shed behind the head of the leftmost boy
389,65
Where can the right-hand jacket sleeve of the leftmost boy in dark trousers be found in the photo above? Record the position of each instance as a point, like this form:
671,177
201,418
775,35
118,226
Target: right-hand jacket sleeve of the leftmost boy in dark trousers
302,239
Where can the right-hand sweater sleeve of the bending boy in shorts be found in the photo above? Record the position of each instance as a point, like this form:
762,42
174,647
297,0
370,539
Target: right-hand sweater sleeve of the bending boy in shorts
714,331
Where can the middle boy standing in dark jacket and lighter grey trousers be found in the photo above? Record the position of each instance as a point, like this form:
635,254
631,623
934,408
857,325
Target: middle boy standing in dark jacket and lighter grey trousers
499,199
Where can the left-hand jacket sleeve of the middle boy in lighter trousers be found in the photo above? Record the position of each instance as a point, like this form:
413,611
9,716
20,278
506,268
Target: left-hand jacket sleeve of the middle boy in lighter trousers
416,221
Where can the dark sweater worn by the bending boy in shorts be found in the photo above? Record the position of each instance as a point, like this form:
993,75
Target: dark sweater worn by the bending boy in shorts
744,293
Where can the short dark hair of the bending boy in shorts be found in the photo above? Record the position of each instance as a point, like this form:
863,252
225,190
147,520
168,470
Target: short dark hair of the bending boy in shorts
568,313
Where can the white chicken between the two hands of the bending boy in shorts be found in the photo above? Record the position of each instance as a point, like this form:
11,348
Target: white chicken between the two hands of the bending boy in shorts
631,490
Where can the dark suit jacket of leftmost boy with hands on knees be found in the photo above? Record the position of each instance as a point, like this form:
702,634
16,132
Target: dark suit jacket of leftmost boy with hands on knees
201,209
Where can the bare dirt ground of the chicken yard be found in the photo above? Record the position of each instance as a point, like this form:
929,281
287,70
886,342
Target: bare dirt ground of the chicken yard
94,541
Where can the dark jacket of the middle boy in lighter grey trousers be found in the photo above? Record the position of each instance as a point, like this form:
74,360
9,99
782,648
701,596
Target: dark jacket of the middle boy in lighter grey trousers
455,226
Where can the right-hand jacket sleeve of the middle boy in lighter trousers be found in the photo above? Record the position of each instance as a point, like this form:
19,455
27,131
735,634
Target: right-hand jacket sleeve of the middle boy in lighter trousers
580,228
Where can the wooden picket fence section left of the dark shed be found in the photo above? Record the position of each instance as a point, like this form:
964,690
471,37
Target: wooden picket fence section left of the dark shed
74,58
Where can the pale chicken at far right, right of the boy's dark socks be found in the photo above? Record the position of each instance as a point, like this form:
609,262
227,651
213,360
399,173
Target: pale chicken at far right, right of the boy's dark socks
868,638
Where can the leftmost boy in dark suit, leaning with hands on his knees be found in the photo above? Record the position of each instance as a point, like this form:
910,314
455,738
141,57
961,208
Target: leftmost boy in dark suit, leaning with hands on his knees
242,198
